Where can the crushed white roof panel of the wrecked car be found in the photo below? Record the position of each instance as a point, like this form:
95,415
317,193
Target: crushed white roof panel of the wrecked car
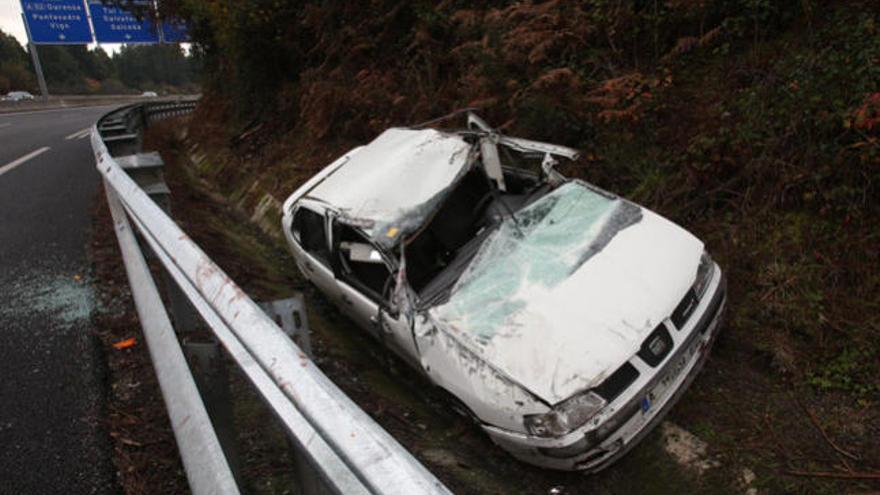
391,185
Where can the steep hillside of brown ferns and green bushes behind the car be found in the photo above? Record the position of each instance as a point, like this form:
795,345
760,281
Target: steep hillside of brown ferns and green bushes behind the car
754,123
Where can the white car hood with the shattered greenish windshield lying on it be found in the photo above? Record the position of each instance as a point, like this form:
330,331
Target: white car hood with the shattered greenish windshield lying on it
559,299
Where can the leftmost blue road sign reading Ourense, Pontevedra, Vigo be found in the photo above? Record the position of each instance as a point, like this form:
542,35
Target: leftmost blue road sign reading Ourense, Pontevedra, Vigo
61,22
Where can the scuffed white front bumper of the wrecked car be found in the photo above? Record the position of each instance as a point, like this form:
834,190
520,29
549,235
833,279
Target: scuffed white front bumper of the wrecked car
630,417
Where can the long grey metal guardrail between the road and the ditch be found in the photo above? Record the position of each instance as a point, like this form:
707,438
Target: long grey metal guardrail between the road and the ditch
341,449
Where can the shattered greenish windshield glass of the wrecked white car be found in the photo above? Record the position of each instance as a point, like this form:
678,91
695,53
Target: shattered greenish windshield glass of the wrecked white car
539,247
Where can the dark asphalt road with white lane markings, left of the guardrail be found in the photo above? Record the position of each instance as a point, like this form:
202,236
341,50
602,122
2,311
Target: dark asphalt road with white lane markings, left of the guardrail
51,376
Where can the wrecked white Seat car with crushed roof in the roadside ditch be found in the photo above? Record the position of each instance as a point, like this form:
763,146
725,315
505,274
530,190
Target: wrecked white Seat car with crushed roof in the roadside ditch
563,319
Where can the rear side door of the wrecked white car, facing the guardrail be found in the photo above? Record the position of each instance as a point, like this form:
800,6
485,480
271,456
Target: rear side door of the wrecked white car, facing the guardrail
312,248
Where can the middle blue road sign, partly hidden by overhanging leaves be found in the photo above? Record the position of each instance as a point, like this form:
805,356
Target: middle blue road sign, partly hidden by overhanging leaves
117,25
